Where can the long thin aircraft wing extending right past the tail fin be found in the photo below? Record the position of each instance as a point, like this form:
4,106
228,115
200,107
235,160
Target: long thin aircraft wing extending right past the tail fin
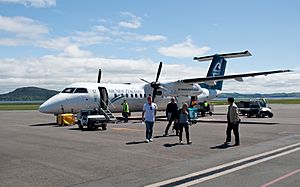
237,77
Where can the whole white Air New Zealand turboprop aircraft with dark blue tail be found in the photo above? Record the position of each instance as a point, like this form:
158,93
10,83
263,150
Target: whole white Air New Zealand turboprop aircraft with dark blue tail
79,96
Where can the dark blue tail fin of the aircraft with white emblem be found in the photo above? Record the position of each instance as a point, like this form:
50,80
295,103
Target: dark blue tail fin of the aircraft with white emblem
216,68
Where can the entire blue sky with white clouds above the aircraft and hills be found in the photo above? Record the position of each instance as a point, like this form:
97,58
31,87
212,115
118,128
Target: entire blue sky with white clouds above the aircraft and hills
53,43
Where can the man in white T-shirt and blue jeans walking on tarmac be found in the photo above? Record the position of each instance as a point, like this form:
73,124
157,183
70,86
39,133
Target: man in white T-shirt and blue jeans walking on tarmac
148,115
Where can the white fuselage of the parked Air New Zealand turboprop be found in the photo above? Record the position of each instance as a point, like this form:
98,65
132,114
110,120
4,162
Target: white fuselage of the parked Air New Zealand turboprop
80,96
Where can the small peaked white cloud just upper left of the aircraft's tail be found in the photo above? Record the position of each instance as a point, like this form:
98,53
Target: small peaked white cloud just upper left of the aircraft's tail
184,49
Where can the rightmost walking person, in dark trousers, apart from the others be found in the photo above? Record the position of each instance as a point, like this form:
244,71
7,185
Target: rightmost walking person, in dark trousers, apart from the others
233,122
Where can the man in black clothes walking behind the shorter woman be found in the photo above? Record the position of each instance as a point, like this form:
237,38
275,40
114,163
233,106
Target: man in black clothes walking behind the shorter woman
171,112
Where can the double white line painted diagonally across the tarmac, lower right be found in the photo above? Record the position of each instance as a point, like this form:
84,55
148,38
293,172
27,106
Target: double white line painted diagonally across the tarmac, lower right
197,181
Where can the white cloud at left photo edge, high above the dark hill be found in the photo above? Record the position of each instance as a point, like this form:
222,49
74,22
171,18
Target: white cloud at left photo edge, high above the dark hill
22,26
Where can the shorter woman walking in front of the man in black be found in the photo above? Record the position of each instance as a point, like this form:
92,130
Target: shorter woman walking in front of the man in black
183,119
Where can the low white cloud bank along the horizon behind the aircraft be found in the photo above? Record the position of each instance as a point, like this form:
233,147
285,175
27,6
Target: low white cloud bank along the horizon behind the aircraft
55,72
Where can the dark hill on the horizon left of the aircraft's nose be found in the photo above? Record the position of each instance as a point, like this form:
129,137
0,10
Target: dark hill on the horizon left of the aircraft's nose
28,94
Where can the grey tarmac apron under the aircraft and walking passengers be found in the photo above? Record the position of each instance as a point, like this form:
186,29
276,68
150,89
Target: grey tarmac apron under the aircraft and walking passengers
34,151
